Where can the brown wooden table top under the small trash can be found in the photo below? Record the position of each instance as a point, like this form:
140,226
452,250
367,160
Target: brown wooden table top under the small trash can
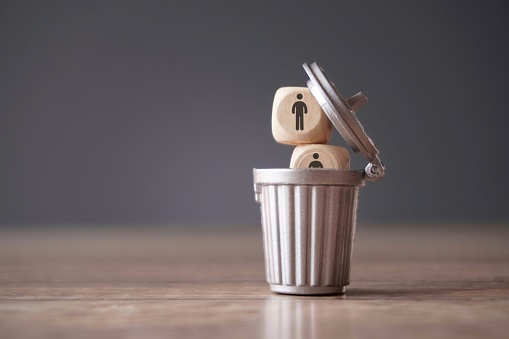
411,281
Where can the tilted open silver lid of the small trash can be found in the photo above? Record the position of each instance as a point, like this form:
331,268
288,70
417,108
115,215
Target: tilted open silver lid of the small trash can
341,113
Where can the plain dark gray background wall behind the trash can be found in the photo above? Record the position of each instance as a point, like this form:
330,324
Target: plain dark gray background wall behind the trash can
156,112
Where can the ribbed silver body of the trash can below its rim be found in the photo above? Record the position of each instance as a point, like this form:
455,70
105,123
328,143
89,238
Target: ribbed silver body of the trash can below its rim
308,233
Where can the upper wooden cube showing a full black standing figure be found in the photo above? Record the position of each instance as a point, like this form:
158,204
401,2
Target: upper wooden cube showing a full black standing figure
297,118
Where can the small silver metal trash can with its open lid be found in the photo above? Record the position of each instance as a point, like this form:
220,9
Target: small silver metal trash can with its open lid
309,215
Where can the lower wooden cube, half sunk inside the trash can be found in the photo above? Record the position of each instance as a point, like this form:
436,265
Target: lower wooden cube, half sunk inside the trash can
320,156
